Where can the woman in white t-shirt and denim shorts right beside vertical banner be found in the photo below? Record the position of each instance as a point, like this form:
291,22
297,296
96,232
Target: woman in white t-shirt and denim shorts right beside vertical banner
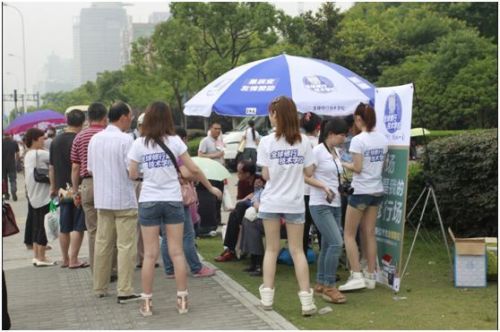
368,150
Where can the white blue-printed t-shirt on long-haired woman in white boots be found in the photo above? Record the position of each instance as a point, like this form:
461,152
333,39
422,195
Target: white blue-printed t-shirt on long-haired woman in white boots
284,192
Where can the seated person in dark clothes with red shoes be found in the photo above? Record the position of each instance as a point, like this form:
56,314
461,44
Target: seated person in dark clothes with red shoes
246,175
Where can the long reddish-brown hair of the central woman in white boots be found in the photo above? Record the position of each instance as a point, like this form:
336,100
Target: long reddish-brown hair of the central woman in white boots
287,121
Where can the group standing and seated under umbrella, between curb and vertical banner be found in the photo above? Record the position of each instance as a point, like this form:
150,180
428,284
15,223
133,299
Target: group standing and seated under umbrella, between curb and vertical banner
305,182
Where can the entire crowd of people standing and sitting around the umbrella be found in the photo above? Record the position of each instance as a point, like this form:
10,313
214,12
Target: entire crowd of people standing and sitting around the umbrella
125,191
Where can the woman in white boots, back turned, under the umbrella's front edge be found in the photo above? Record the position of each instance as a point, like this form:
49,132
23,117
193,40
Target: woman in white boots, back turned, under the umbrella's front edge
285,157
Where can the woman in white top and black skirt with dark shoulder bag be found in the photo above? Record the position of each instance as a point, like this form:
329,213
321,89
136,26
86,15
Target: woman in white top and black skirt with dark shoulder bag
36,167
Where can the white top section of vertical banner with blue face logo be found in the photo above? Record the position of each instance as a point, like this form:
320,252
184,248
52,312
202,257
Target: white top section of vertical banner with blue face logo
394,110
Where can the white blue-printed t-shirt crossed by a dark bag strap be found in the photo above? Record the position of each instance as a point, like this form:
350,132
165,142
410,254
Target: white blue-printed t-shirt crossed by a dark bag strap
160,179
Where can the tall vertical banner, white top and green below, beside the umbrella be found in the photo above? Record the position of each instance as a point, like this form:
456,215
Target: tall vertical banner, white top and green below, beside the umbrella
393,107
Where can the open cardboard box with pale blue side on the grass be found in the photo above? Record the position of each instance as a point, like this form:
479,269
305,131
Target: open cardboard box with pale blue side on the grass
470,261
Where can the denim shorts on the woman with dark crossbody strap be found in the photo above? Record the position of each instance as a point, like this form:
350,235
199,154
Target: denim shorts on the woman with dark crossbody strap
159,213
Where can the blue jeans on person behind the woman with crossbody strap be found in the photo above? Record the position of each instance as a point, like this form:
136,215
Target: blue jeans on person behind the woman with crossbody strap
188,244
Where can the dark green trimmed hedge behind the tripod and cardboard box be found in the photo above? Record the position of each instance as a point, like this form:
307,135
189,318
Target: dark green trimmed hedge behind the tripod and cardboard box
464,170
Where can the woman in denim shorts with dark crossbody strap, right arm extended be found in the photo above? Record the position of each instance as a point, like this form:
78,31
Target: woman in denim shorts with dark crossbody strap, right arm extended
160,201
